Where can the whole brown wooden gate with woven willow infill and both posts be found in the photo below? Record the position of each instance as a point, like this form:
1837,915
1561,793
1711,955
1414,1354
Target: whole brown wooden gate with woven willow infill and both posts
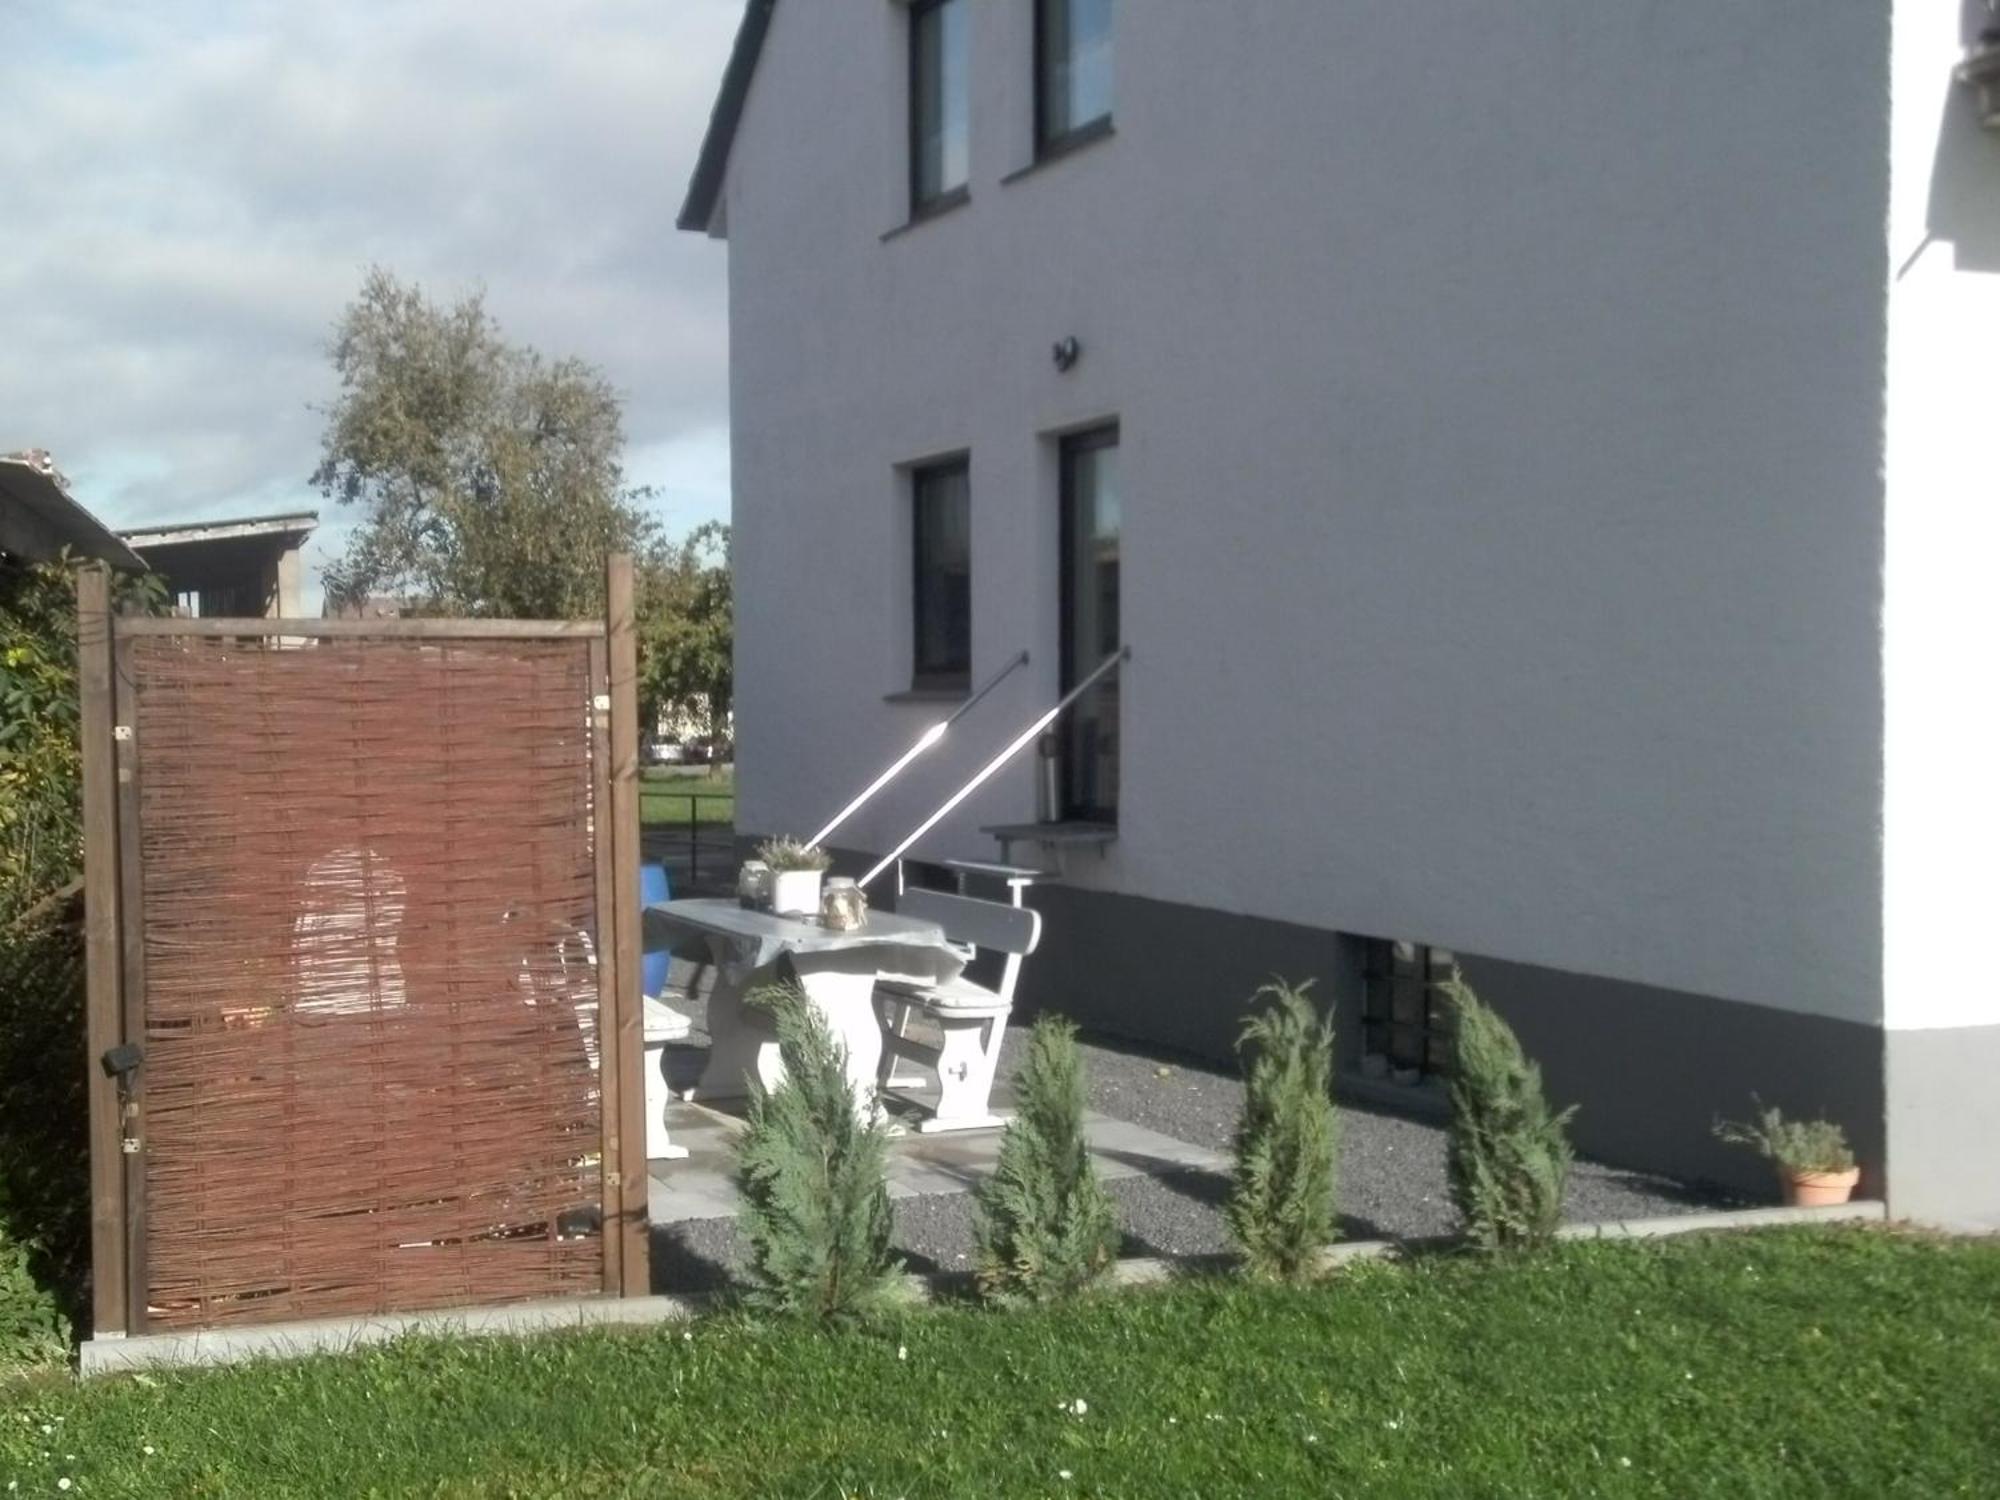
363,933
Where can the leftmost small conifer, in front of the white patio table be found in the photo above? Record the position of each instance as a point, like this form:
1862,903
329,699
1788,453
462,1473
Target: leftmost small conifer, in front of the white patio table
813,1177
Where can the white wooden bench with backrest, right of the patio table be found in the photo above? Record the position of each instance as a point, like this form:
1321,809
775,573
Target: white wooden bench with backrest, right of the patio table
969,1017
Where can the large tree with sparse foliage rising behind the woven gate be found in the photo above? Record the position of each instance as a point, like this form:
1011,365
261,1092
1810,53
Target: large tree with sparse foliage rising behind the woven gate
491,475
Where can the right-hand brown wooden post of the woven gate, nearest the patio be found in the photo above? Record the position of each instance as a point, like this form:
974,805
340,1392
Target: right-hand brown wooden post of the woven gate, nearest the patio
627,1093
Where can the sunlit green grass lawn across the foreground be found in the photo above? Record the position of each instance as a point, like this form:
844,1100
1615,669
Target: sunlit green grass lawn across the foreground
1753,1365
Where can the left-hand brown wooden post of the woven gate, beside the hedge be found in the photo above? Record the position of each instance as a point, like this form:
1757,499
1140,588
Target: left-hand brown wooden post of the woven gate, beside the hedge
103,973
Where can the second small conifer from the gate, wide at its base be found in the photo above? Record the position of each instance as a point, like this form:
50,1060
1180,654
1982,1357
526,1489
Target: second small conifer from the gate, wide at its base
1043,1223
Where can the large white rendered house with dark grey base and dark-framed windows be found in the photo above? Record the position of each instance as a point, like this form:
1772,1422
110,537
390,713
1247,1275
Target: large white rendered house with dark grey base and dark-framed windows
1541,461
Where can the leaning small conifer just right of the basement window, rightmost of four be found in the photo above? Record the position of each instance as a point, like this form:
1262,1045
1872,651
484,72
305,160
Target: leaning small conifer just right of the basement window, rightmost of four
1509,1155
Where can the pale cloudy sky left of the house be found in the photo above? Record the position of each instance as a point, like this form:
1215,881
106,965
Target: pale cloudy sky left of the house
193,191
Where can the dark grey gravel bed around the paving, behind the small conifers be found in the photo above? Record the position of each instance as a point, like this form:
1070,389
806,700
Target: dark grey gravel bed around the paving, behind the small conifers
1393,1183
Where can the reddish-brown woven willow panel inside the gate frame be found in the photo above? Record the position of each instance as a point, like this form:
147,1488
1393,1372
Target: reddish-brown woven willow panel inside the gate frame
369,977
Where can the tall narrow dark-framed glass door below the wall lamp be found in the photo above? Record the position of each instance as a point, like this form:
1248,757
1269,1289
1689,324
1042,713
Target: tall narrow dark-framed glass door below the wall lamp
1091,531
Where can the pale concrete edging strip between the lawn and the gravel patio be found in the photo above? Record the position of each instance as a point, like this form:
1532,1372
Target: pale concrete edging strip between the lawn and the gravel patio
339,1335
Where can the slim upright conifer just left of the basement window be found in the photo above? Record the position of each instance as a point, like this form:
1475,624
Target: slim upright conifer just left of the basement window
1289,1139
